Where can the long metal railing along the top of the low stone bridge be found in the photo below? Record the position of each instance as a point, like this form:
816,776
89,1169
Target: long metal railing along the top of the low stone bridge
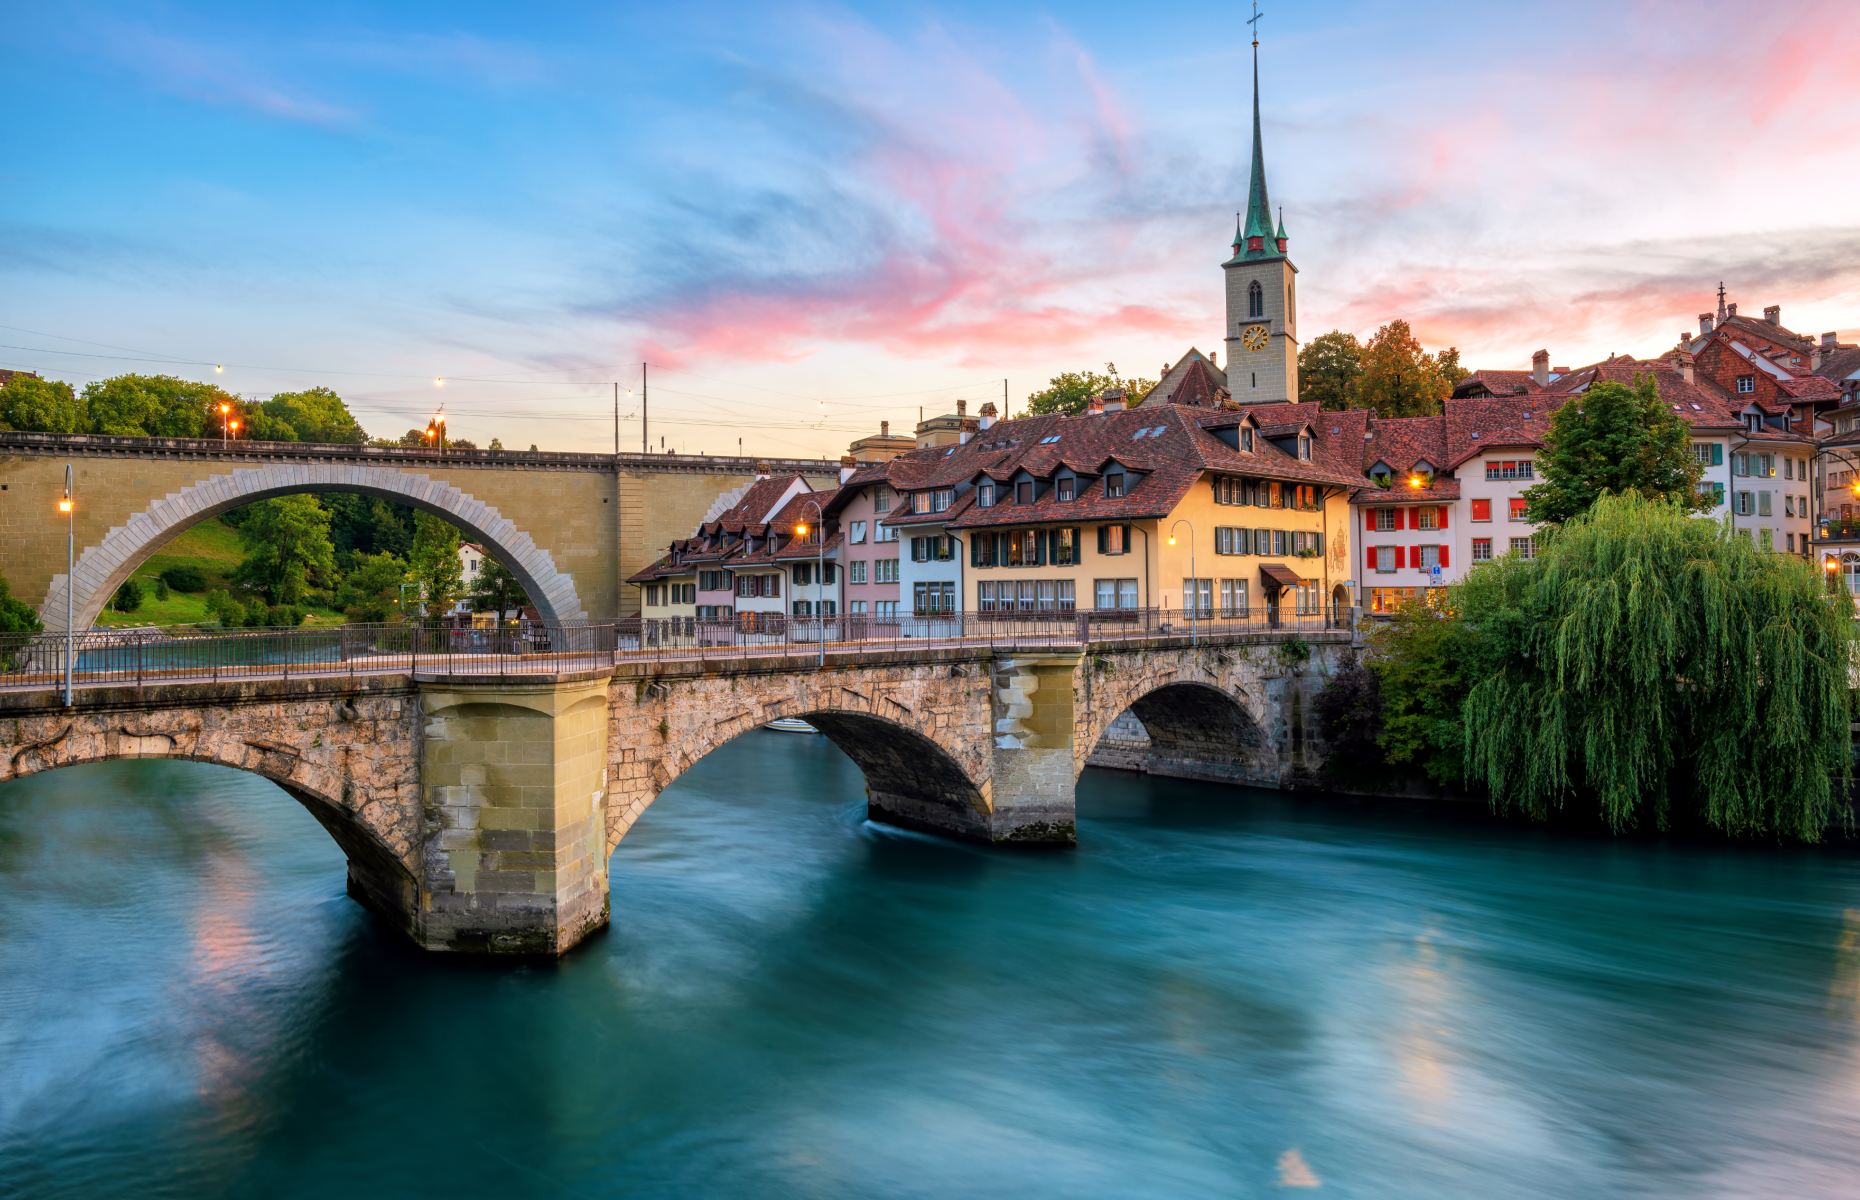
193,656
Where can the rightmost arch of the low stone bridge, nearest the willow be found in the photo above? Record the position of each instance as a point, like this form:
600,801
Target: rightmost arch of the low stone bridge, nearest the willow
1204,717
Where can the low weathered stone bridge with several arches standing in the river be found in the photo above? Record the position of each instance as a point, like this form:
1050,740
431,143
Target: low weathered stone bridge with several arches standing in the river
479,797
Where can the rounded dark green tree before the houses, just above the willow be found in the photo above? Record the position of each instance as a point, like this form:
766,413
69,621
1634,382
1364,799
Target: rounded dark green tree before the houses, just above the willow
1614,440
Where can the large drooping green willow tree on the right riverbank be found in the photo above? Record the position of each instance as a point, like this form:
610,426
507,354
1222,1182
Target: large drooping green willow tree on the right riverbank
1666,671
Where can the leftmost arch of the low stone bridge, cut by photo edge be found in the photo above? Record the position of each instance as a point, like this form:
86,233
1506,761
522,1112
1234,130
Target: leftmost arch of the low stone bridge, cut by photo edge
379,833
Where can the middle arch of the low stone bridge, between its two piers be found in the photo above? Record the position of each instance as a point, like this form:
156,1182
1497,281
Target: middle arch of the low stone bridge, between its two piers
912,777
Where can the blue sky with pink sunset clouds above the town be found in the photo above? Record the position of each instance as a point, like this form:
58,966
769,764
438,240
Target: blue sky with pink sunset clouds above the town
812,219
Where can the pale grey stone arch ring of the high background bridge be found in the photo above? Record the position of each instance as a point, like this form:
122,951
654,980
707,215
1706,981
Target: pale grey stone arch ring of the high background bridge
105,565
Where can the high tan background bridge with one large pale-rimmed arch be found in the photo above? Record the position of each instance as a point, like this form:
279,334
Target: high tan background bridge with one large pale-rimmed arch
570,527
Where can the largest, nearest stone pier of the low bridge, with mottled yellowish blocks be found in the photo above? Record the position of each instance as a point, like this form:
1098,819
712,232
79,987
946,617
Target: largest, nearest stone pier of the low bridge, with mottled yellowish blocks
512,786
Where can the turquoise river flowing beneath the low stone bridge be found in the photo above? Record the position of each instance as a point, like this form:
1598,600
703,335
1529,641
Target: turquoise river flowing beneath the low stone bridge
1217,994
